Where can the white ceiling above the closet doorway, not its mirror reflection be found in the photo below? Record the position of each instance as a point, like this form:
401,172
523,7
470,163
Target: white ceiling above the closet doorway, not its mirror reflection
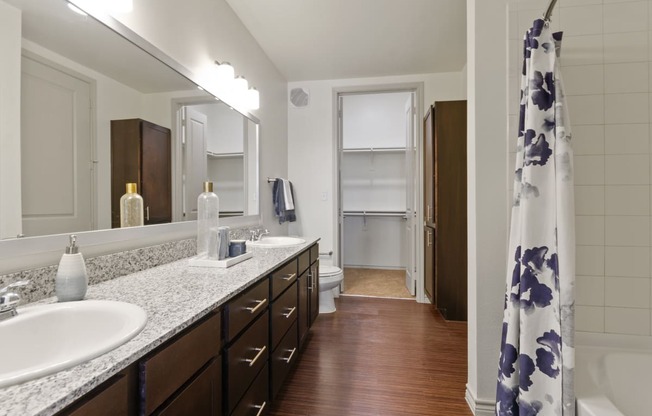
334,39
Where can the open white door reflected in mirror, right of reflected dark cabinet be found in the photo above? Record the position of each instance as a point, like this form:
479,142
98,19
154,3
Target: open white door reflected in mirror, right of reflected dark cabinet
194,160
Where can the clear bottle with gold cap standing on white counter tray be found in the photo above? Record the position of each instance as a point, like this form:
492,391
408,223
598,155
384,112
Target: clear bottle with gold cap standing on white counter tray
208,208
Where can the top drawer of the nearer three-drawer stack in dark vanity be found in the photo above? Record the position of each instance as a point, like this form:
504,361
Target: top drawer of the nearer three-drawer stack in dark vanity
242,310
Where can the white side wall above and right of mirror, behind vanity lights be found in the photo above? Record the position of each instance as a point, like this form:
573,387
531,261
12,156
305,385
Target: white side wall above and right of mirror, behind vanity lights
196,33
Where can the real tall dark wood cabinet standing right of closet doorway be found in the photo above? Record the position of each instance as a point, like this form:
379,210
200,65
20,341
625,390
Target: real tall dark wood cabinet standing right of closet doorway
445,208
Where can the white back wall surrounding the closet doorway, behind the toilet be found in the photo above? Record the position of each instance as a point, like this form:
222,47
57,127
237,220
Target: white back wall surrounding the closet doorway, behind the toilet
312,148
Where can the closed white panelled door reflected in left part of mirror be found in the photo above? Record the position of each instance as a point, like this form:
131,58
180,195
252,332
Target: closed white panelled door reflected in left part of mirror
56,147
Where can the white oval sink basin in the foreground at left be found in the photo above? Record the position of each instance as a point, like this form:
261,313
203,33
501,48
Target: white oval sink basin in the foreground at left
44,339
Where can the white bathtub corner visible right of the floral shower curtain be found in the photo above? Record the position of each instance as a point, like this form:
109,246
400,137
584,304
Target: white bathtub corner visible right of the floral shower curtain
613,375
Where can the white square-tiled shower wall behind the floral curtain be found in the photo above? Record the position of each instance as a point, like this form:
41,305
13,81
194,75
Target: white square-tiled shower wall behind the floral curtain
606,61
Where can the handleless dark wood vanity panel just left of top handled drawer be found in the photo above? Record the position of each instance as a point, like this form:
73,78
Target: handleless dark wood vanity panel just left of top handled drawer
166,370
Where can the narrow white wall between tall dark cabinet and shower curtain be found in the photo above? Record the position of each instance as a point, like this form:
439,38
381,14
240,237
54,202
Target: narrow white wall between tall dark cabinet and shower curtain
487,195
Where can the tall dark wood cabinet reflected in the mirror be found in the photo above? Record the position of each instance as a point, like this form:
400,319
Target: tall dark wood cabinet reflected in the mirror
141,152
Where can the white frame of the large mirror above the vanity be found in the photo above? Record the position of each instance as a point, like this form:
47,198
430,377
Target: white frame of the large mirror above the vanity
32,252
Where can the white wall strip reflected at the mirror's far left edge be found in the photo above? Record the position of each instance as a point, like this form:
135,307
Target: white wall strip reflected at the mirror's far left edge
10,196
